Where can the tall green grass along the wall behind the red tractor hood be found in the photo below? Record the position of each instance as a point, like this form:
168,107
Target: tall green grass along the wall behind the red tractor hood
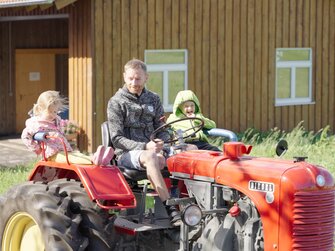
318,147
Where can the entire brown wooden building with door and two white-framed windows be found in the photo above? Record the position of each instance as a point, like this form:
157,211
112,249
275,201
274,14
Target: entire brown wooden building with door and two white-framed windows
252,63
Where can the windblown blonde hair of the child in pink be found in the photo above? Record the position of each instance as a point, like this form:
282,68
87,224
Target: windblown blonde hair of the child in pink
49,99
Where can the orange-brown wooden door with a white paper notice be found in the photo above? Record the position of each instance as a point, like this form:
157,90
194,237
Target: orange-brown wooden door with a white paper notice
34,74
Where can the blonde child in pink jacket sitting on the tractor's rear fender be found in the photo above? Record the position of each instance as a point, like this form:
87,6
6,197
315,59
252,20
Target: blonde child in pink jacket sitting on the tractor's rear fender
45,119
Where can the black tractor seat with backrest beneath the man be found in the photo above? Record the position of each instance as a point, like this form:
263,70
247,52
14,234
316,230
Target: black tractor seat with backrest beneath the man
129,174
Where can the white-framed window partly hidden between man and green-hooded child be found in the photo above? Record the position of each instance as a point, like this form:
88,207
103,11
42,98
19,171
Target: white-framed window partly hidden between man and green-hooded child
167,74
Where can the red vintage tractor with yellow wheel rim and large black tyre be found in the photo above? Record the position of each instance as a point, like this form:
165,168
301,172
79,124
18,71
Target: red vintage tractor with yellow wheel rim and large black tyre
229,201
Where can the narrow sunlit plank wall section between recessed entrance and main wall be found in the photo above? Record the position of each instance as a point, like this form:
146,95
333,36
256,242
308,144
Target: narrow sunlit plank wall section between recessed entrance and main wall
81,92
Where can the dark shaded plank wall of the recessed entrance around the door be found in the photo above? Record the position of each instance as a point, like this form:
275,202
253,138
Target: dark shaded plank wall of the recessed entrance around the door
36,34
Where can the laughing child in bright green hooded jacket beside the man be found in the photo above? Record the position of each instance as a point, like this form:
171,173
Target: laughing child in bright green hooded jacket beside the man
185,105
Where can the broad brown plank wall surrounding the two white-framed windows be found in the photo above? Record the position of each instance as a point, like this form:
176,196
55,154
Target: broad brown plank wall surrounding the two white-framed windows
231,45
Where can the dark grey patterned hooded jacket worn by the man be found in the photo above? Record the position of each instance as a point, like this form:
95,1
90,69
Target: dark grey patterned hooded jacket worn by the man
132,119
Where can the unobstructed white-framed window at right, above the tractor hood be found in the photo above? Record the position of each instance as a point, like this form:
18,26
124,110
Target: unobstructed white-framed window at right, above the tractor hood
293,76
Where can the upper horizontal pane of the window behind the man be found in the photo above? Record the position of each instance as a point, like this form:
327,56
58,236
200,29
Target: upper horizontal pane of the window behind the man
165,57
